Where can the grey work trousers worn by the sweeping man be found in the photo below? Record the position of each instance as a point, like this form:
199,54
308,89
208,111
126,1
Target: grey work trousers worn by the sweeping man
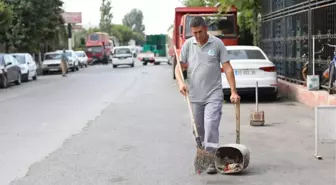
207,117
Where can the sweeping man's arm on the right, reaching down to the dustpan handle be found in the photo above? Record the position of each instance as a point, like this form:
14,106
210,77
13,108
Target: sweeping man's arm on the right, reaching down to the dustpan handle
227,68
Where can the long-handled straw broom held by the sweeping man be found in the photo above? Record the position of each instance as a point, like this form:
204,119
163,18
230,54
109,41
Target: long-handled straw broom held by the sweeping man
203,158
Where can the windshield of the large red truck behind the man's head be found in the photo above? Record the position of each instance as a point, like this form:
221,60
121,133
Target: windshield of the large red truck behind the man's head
219,26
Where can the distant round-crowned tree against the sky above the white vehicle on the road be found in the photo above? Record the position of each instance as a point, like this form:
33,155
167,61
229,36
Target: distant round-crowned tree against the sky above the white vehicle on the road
134,20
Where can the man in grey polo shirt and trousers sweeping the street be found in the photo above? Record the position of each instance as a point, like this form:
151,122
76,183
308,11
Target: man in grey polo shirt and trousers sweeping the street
201,57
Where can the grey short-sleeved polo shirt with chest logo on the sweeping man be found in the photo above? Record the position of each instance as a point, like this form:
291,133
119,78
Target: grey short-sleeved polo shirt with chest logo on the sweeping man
204,70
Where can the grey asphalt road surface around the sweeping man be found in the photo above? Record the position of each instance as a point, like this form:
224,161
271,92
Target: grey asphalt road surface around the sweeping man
130,126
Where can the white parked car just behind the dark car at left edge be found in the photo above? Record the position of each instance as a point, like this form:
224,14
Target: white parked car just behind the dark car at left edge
28,66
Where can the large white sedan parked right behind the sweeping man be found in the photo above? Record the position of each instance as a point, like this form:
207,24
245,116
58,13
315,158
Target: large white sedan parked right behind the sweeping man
250,64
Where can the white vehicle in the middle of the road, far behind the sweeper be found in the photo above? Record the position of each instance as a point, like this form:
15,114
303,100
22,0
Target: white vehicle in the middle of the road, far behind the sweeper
122,55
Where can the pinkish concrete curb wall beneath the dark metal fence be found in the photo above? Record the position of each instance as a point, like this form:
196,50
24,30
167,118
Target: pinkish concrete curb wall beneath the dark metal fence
304,96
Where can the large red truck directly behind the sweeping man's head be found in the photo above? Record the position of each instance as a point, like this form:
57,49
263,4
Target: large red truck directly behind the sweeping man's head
222,25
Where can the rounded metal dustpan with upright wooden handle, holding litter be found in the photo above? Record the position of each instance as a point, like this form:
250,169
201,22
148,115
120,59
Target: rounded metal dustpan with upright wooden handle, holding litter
233,158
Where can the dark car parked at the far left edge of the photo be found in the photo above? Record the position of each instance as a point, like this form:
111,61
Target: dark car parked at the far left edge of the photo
10,71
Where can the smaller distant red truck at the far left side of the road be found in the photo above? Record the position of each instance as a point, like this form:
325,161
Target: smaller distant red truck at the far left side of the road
98,47
